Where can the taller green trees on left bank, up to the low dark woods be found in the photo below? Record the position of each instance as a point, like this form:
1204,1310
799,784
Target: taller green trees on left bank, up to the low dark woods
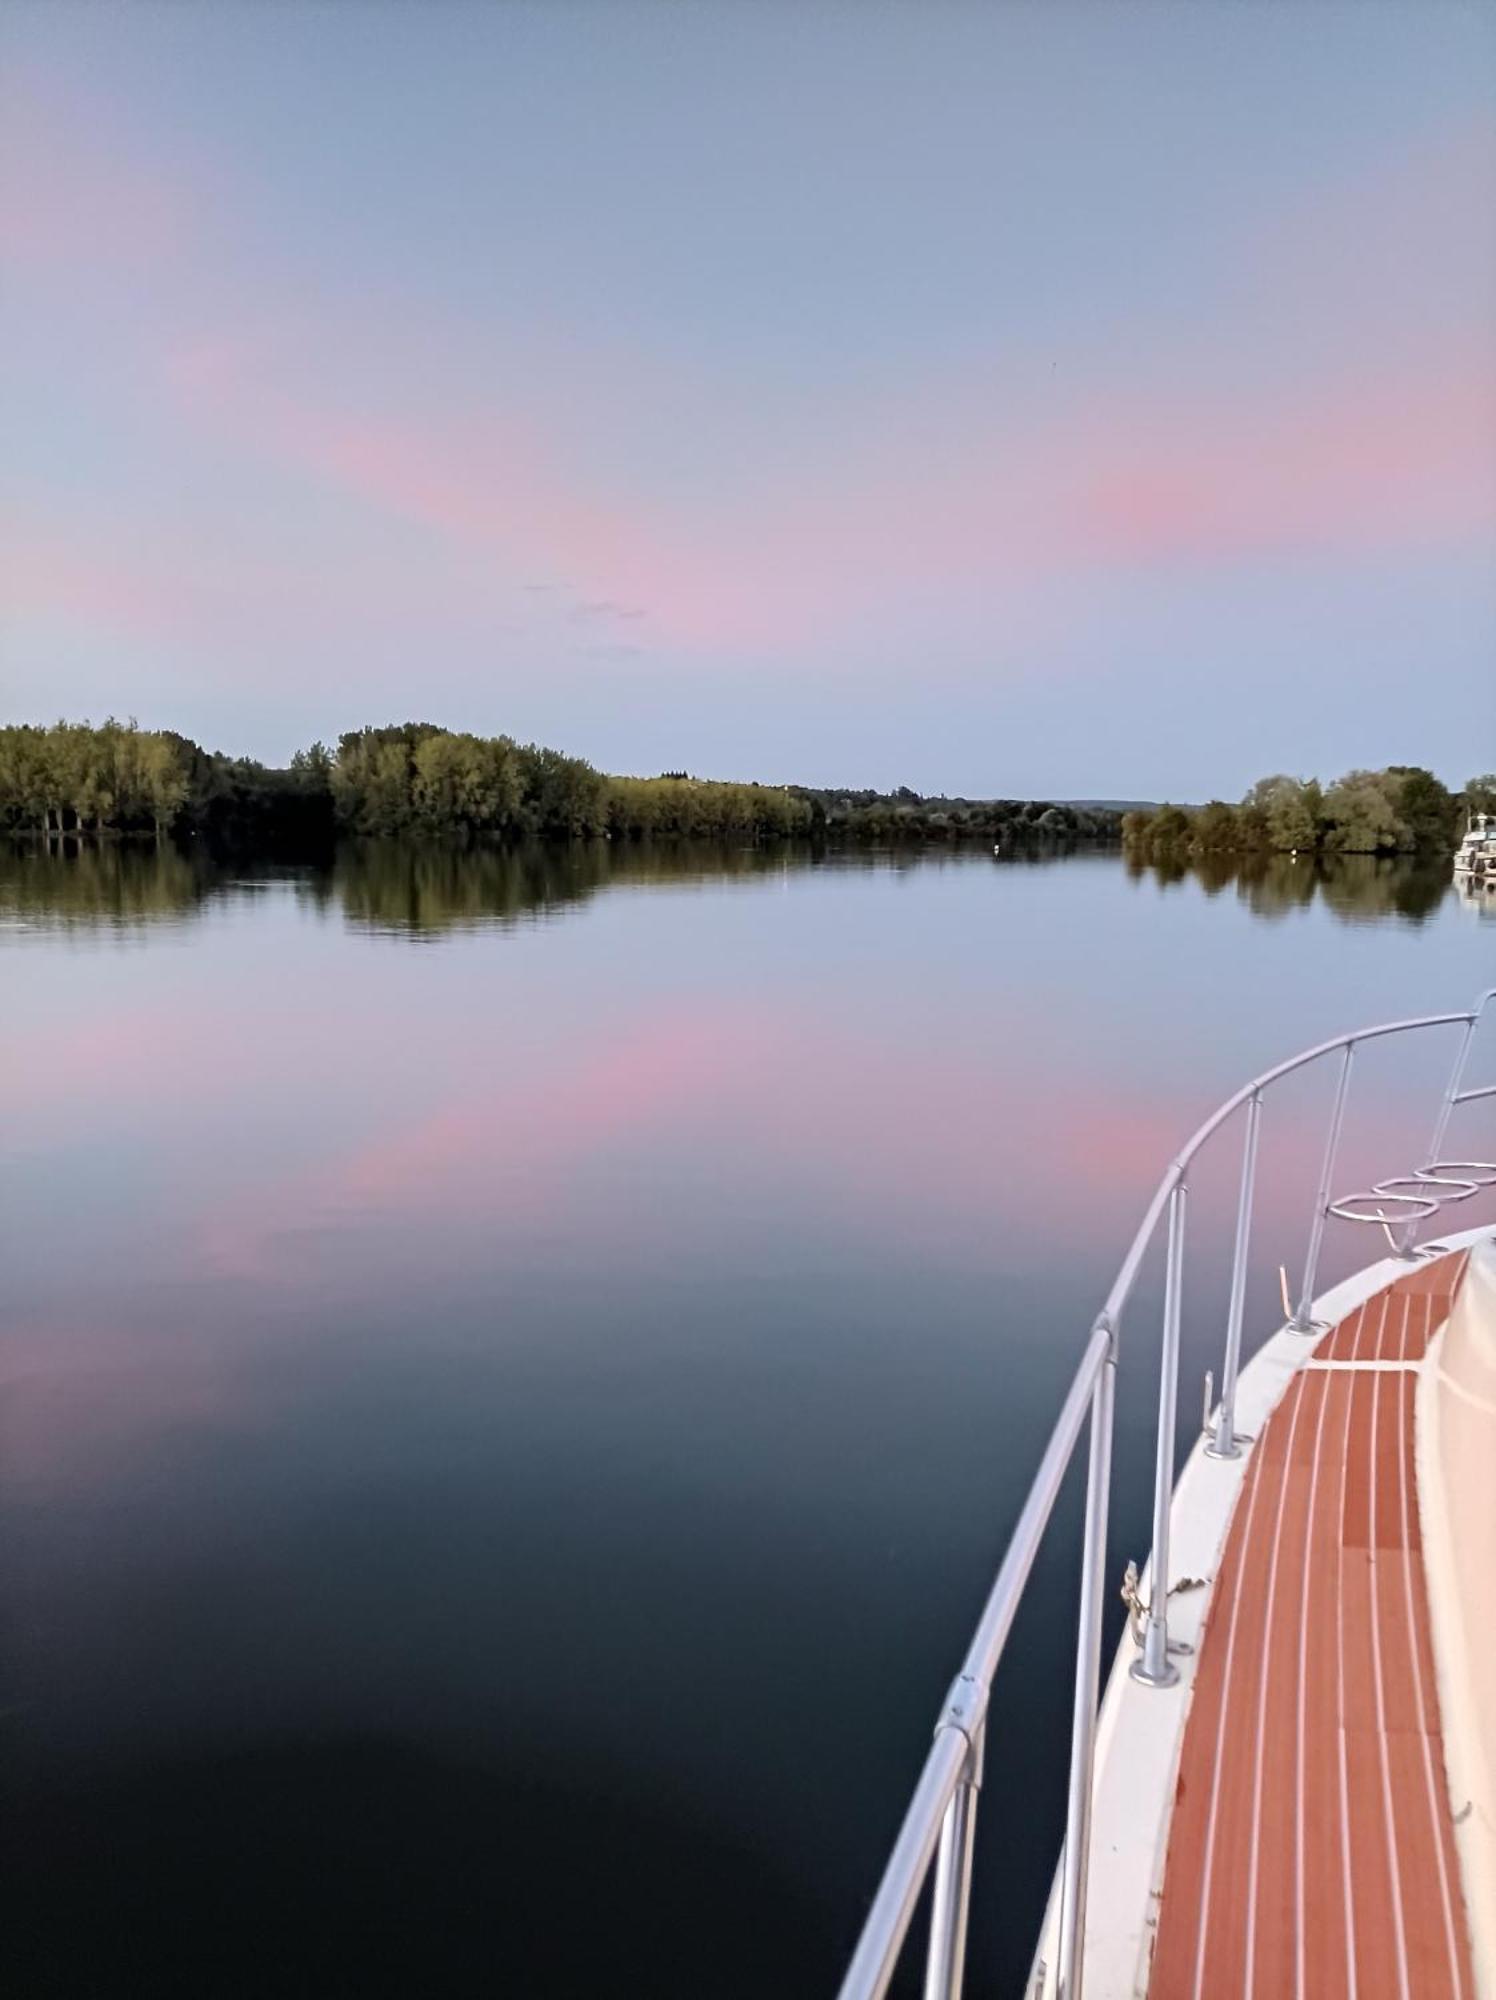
411,779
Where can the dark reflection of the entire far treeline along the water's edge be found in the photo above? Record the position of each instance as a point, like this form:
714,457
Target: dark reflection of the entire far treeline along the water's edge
427,891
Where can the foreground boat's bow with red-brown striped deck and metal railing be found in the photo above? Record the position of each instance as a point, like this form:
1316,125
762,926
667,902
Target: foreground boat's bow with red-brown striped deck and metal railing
1291,1781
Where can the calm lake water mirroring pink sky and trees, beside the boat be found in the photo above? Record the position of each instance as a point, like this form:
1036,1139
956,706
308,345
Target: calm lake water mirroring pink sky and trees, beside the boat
517,1373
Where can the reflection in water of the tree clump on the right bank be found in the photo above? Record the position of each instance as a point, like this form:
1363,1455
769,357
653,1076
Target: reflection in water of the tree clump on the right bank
1355,887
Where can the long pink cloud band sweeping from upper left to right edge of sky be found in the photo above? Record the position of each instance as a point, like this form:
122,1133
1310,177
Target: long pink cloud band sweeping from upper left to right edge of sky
1367,465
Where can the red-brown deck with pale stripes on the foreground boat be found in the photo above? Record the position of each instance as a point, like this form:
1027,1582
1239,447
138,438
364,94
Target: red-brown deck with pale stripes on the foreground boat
1311,1849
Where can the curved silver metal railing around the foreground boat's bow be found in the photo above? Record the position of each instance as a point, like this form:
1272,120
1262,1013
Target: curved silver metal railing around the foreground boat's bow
941,1819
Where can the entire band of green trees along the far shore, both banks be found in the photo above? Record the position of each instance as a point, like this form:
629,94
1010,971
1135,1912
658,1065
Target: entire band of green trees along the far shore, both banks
421,781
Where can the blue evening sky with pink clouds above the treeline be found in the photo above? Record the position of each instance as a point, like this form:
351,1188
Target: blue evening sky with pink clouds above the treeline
1025,401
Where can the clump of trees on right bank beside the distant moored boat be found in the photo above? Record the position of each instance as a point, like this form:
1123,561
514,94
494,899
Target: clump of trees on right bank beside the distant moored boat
1395,811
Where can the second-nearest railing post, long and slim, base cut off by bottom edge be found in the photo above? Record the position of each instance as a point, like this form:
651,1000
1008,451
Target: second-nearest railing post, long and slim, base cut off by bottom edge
1089,1659
